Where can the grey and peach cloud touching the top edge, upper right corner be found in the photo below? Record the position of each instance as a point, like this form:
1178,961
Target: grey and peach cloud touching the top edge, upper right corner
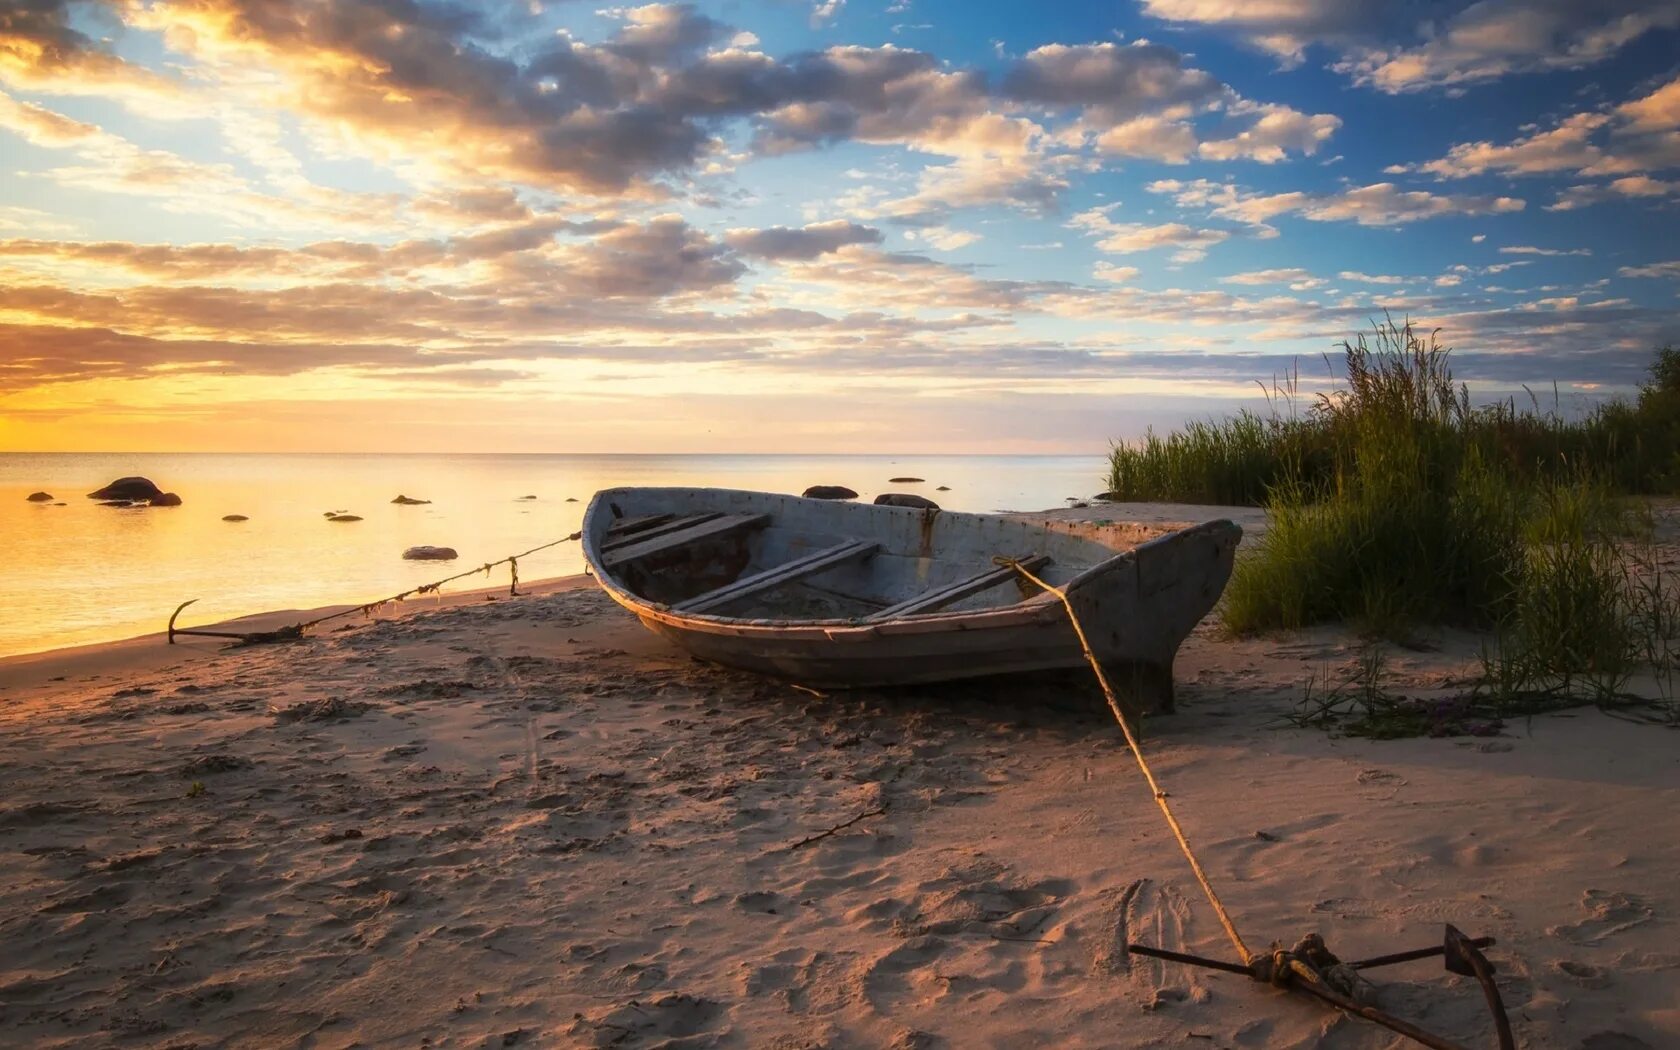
1395,48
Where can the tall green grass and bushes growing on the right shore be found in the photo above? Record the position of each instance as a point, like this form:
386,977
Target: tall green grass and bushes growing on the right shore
1394,503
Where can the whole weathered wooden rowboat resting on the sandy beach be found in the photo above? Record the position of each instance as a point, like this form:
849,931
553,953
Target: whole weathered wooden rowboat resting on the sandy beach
841,594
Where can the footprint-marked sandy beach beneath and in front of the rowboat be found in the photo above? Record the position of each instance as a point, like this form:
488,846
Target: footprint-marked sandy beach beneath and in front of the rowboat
530,824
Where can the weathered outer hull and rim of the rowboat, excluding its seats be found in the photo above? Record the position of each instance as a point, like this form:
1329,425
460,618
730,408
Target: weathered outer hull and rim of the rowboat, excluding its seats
1137,606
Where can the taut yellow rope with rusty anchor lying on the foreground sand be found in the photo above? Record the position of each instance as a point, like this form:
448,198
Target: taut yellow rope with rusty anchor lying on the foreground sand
1310,967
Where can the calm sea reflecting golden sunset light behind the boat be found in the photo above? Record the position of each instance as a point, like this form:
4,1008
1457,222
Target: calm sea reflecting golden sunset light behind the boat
88,574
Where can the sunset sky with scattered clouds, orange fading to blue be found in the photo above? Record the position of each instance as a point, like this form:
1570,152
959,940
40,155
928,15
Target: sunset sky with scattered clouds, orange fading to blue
809,226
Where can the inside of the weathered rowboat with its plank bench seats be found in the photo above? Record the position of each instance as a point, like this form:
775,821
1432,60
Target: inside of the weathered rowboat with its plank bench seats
755,564
